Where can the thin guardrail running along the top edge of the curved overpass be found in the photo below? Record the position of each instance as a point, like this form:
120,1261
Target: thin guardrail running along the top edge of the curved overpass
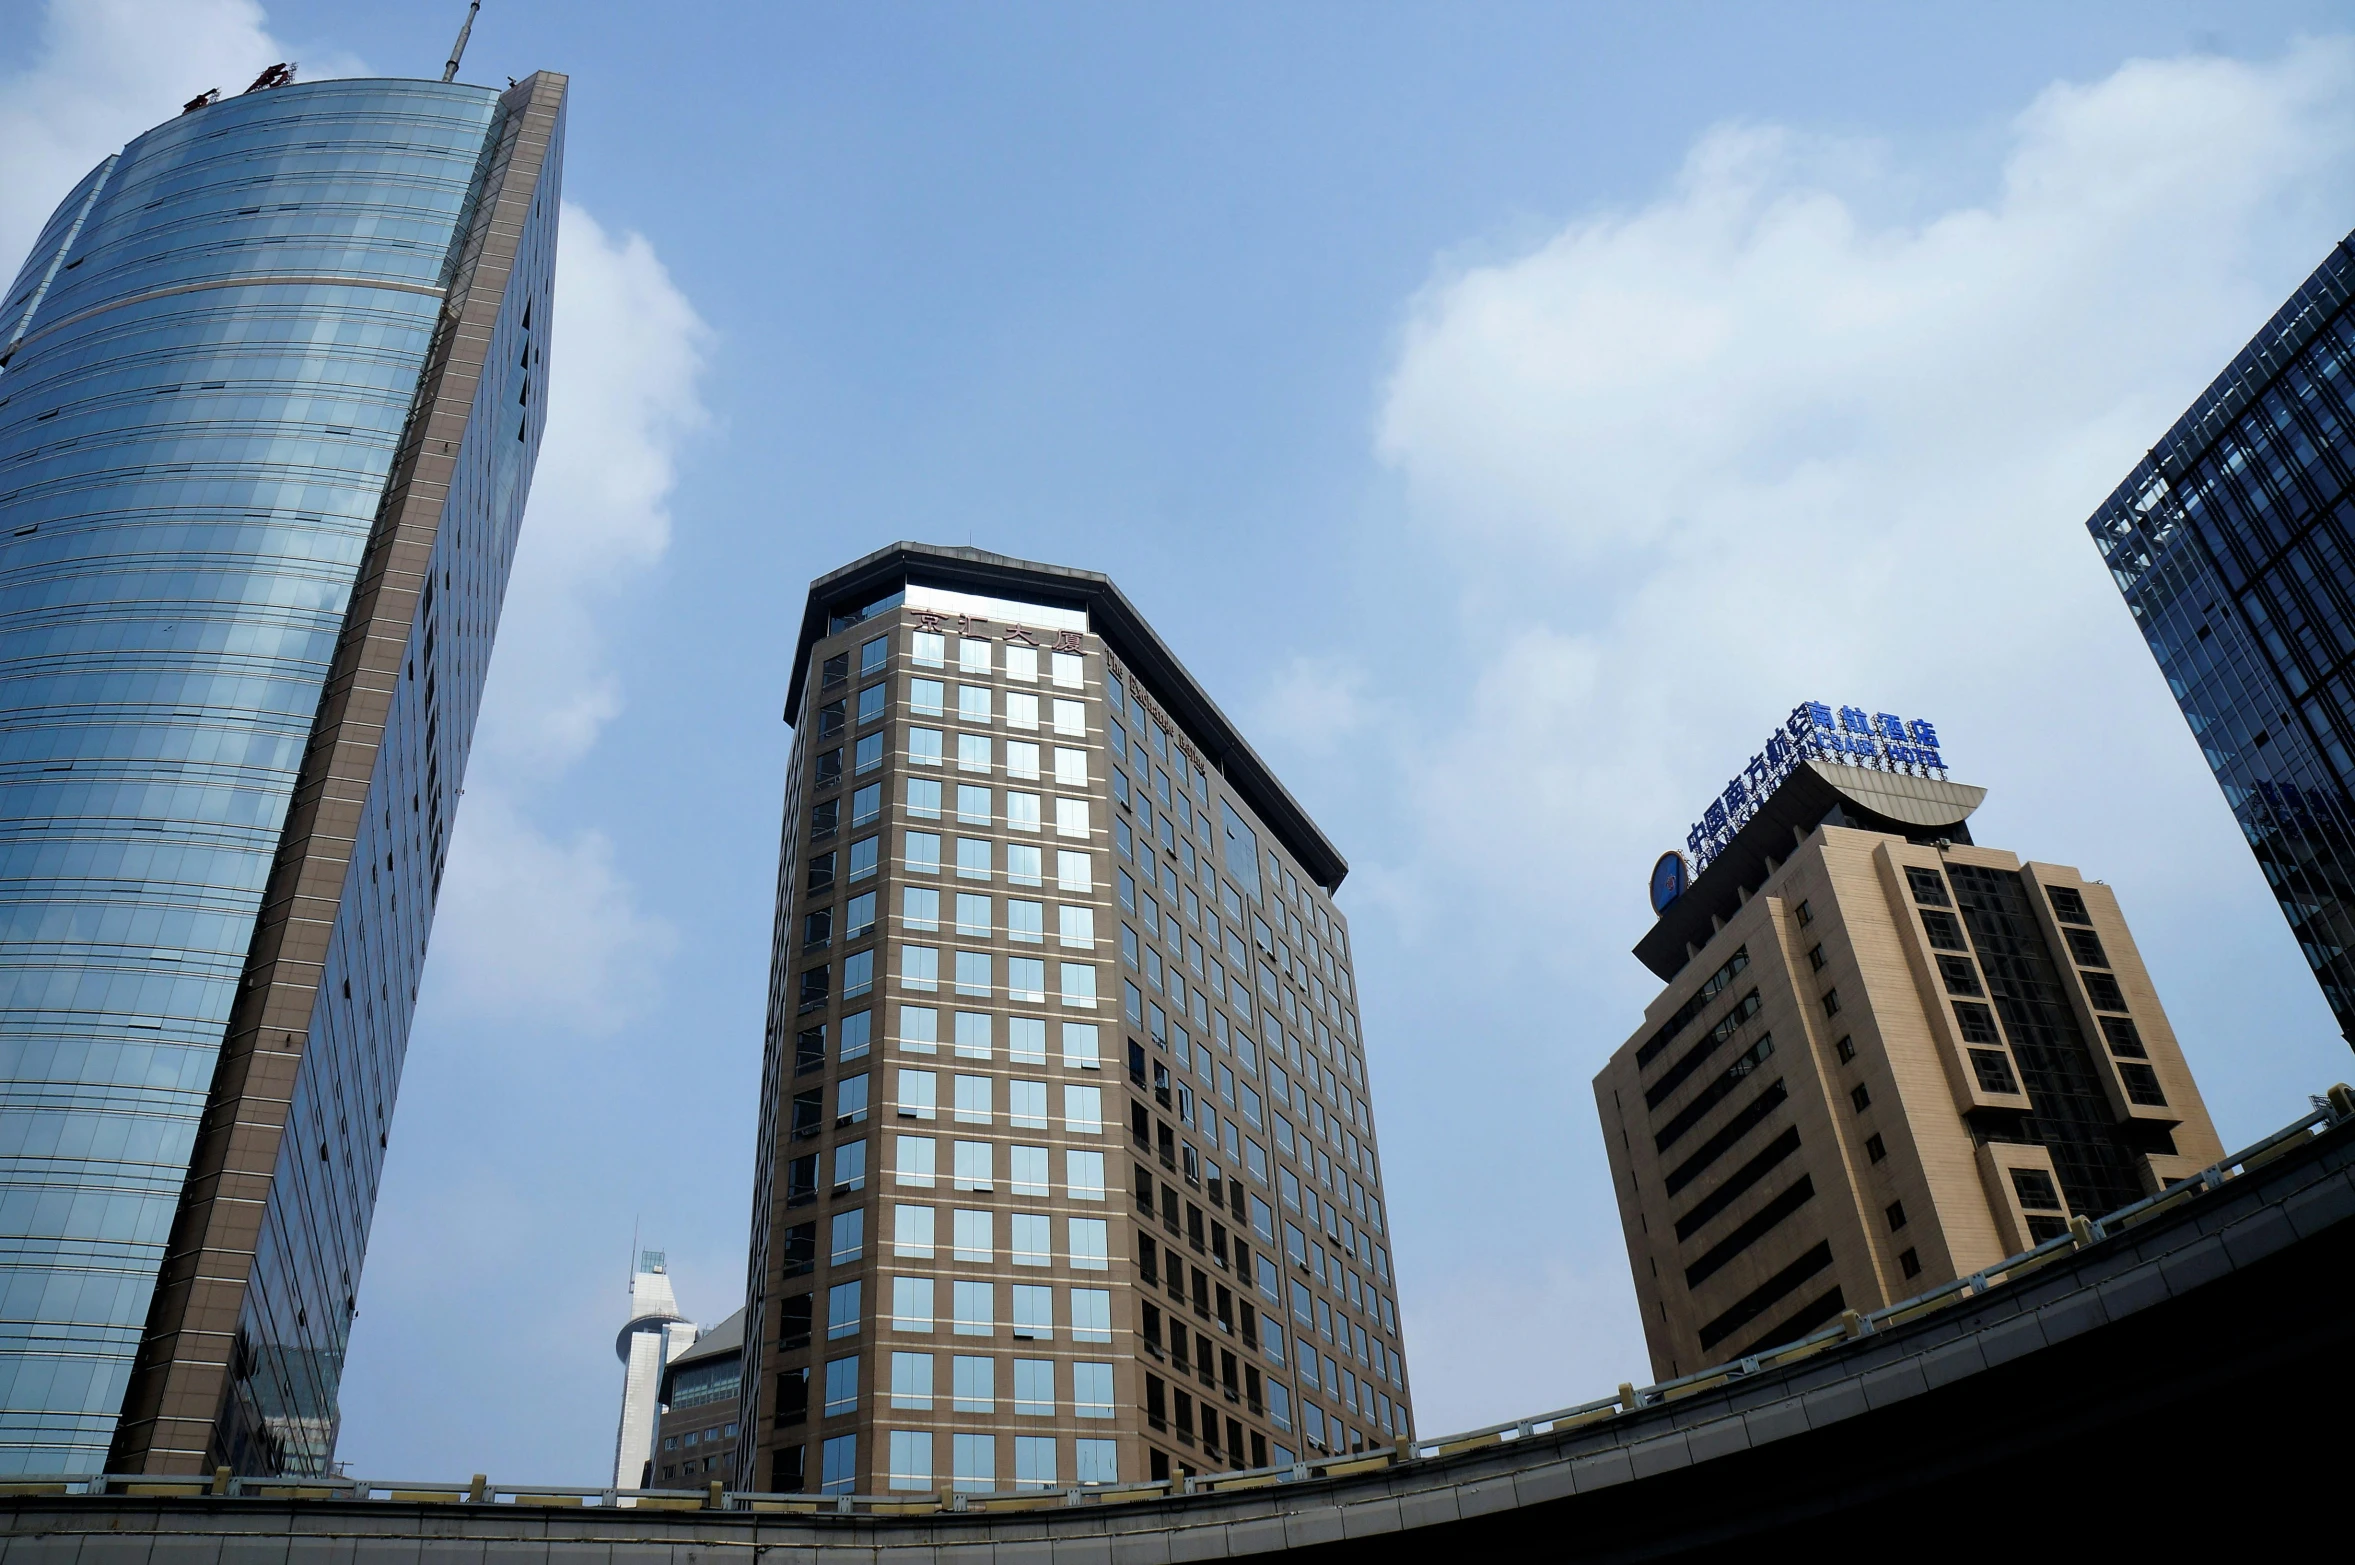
1852,1326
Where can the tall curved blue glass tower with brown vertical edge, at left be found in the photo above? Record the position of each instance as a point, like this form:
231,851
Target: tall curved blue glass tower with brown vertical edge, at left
267,420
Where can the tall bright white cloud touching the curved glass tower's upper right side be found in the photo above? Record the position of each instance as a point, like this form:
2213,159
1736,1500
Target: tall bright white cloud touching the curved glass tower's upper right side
623,399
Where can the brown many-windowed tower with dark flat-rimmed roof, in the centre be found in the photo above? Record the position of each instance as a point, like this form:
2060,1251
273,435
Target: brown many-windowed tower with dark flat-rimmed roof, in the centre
1068,1164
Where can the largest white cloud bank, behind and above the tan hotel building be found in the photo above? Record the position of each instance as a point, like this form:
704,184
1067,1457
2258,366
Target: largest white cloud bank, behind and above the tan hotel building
1770,439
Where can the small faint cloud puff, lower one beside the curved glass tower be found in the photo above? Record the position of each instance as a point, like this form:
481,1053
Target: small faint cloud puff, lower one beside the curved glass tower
540,931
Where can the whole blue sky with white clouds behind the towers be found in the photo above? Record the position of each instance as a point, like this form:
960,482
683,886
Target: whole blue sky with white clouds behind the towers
1508,413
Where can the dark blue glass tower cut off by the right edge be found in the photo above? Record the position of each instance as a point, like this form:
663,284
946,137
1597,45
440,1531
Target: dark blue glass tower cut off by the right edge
2234,545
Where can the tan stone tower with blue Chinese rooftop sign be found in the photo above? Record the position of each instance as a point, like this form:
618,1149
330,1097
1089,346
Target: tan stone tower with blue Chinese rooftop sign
1885,1055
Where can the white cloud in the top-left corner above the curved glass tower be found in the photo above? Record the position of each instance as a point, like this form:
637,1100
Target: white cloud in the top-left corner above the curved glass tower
110,72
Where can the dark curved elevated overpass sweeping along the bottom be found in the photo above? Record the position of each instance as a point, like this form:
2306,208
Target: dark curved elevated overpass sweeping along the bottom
2165,1376
